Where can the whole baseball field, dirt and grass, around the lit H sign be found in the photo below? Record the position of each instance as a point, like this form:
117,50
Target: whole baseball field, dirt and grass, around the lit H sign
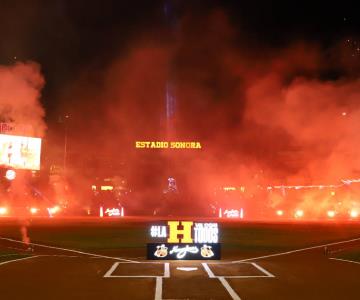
91,258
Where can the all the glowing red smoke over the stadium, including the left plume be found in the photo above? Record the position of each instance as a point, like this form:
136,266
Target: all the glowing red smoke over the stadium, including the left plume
277,126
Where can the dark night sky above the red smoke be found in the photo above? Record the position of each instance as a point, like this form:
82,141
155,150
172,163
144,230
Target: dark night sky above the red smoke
65,36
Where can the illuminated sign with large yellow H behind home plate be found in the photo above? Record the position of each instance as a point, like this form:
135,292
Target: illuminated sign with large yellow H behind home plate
184,240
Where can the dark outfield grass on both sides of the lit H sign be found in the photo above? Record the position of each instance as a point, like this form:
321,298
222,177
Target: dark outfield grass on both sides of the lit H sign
99,235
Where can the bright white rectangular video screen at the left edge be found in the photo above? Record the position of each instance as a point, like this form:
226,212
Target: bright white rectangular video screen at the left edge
20,152
